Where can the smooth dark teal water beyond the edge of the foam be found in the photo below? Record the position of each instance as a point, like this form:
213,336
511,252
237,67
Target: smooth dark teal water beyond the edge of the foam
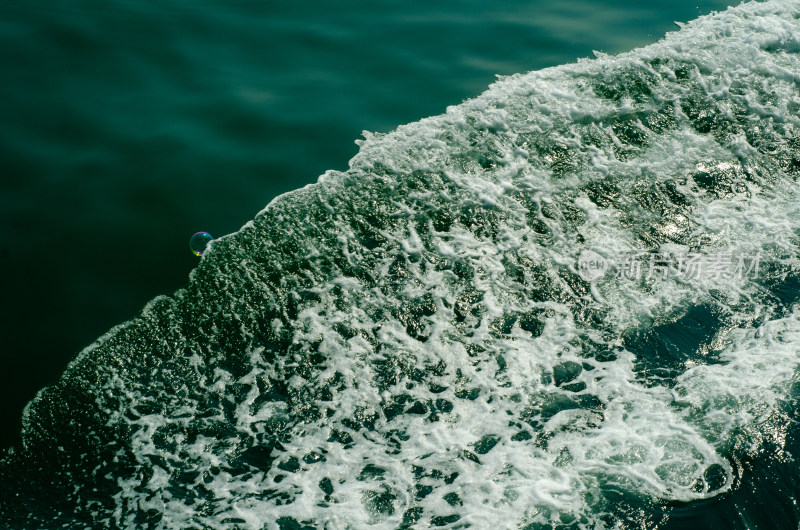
127,126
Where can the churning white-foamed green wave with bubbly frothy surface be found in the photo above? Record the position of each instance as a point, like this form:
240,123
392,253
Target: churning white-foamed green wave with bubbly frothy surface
569,302
